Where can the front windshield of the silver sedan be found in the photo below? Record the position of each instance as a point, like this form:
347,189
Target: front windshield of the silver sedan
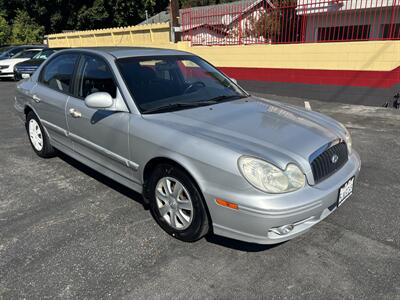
161,81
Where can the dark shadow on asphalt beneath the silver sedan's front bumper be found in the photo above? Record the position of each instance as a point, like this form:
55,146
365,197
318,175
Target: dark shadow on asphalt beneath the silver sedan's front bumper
238,245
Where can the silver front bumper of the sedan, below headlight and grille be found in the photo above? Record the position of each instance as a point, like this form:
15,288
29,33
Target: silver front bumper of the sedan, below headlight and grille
302,209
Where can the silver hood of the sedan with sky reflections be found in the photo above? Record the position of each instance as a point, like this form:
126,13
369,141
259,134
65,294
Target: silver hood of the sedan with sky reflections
254,126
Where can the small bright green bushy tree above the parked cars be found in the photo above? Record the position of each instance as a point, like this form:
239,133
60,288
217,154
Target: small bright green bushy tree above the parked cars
25,30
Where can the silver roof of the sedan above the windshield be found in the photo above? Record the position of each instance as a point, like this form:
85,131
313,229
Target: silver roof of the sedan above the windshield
123,52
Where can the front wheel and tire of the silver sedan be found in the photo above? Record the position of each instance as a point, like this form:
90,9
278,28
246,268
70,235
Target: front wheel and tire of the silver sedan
177,204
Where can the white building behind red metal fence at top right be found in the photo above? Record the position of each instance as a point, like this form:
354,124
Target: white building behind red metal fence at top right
350,20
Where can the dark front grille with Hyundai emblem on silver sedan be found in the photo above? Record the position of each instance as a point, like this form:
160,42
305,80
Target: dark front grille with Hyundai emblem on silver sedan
323,165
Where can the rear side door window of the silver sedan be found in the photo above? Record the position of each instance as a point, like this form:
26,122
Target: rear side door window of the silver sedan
57,74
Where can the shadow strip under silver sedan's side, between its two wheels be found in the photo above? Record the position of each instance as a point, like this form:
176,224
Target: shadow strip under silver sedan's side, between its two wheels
103,179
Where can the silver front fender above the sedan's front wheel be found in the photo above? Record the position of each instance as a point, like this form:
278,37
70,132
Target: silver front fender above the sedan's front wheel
209,164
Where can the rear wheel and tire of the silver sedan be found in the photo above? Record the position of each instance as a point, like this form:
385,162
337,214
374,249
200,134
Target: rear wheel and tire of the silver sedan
37,136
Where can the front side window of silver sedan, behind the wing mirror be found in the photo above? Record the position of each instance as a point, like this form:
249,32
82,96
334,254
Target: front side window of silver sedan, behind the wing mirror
95,76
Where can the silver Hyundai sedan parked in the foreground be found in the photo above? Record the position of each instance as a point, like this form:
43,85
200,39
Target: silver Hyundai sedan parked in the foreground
207,156
